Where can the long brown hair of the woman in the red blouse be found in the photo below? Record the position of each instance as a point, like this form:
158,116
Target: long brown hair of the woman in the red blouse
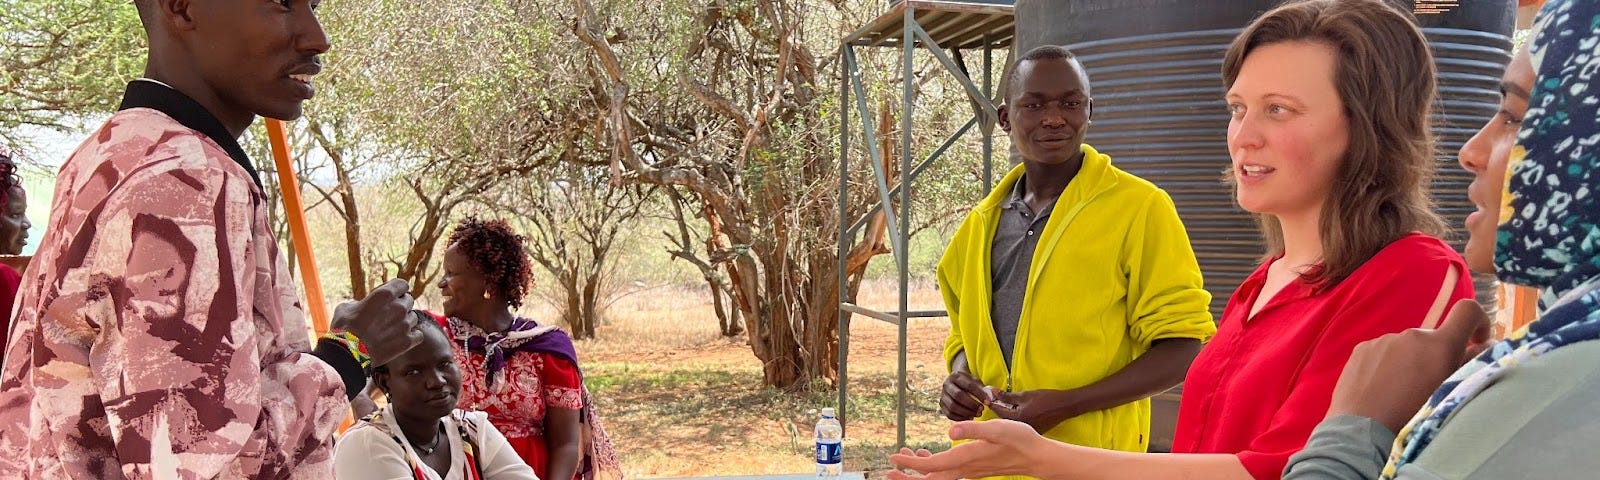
1386,82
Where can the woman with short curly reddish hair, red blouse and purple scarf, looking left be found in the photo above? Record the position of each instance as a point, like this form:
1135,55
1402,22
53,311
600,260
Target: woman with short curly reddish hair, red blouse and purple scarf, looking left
522,374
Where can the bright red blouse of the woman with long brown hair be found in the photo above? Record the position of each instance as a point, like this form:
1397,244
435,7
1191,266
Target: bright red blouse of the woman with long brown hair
1263,385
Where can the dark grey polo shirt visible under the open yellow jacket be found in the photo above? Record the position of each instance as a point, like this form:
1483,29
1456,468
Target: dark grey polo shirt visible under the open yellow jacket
1010,258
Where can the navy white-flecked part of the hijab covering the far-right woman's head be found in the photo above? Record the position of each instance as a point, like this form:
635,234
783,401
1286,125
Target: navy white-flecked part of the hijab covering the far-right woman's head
1553,234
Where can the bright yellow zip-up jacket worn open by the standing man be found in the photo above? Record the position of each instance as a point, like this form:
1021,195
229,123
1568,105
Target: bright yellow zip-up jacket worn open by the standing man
1113,273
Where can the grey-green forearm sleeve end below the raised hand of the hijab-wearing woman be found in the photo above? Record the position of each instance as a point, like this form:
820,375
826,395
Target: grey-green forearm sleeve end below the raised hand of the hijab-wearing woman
1343,449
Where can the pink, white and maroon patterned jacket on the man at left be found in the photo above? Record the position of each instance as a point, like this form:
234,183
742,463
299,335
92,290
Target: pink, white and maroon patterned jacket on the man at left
158,330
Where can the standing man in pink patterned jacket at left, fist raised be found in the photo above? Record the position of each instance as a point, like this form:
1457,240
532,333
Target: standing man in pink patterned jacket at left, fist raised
158,332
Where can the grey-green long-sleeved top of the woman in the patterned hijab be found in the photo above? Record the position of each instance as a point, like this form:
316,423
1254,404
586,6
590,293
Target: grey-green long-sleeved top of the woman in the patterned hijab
1538,422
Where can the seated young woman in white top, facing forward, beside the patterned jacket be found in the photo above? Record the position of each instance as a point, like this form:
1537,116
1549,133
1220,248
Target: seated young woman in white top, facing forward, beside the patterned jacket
422,434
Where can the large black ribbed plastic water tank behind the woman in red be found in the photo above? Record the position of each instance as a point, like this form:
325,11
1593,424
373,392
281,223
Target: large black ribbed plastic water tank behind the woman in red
1159,111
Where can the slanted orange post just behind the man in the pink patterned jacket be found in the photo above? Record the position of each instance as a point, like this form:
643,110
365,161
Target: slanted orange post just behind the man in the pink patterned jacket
300,234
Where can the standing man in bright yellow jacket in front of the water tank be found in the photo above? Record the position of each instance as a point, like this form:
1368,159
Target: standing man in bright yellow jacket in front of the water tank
1073,290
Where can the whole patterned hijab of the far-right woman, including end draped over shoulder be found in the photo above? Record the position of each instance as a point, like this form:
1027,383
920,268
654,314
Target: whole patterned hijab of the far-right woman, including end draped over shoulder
1551,238
